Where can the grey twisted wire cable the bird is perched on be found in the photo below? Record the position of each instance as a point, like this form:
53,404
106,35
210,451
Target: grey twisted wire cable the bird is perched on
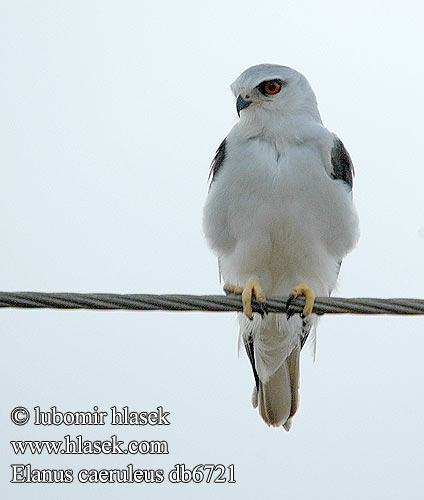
147,302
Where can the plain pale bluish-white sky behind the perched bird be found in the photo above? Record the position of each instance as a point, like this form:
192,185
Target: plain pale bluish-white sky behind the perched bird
111,113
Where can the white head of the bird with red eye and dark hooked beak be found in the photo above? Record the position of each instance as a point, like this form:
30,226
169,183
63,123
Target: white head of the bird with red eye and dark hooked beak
268,90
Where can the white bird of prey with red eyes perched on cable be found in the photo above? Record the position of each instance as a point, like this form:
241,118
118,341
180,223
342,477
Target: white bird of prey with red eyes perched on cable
280,217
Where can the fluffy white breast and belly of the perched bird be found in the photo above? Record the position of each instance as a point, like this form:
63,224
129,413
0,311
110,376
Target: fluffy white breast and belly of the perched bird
274,213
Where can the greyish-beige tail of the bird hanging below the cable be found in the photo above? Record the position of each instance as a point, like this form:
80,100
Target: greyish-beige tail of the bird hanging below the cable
278,398
